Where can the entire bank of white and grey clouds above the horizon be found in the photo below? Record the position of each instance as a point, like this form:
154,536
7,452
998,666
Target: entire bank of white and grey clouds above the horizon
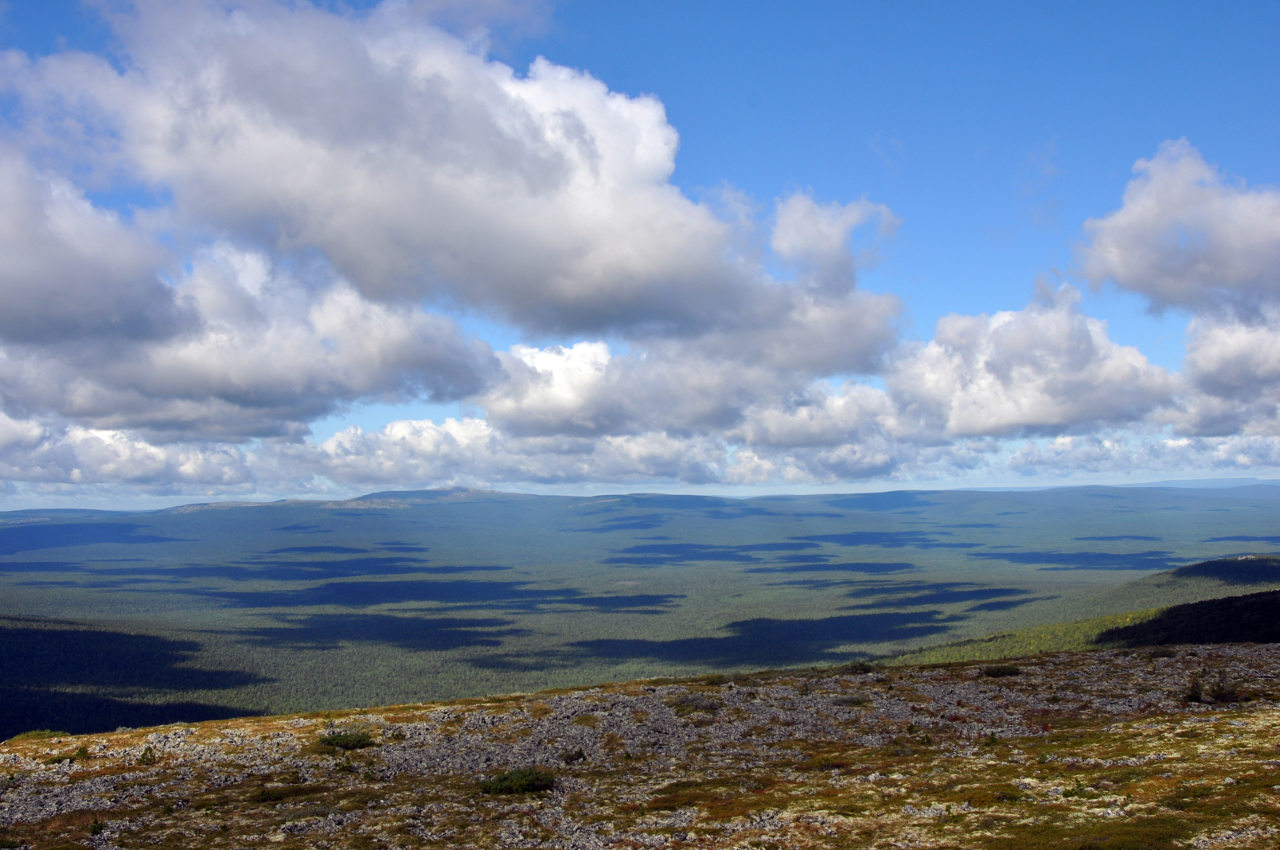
259,216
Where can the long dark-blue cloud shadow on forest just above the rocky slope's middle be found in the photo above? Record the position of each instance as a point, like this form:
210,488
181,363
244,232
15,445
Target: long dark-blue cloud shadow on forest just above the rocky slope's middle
749,643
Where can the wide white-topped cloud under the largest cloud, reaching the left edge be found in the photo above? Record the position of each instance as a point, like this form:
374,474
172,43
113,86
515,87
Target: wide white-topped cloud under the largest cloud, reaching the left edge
267,357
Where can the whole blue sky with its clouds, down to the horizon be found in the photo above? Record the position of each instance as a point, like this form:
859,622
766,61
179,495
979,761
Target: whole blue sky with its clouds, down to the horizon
271,249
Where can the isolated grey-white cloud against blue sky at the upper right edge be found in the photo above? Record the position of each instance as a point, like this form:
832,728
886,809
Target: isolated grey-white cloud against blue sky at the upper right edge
1187,237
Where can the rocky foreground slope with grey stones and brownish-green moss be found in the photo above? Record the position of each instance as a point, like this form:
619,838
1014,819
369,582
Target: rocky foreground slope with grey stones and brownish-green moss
1168,748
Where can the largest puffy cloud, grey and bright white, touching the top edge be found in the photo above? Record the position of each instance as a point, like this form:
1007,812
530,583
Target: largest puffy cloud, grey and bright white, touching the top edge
418,167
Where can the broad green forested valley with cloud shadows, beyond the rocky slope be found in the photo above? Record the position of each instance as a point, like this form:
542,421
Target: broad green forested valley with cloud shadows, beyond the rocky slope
132,619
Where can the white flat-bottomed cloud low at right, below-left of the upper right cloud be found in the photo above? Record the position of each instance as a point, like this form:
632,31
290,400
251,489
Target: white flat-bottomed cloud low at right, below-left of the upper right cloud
1045,369
